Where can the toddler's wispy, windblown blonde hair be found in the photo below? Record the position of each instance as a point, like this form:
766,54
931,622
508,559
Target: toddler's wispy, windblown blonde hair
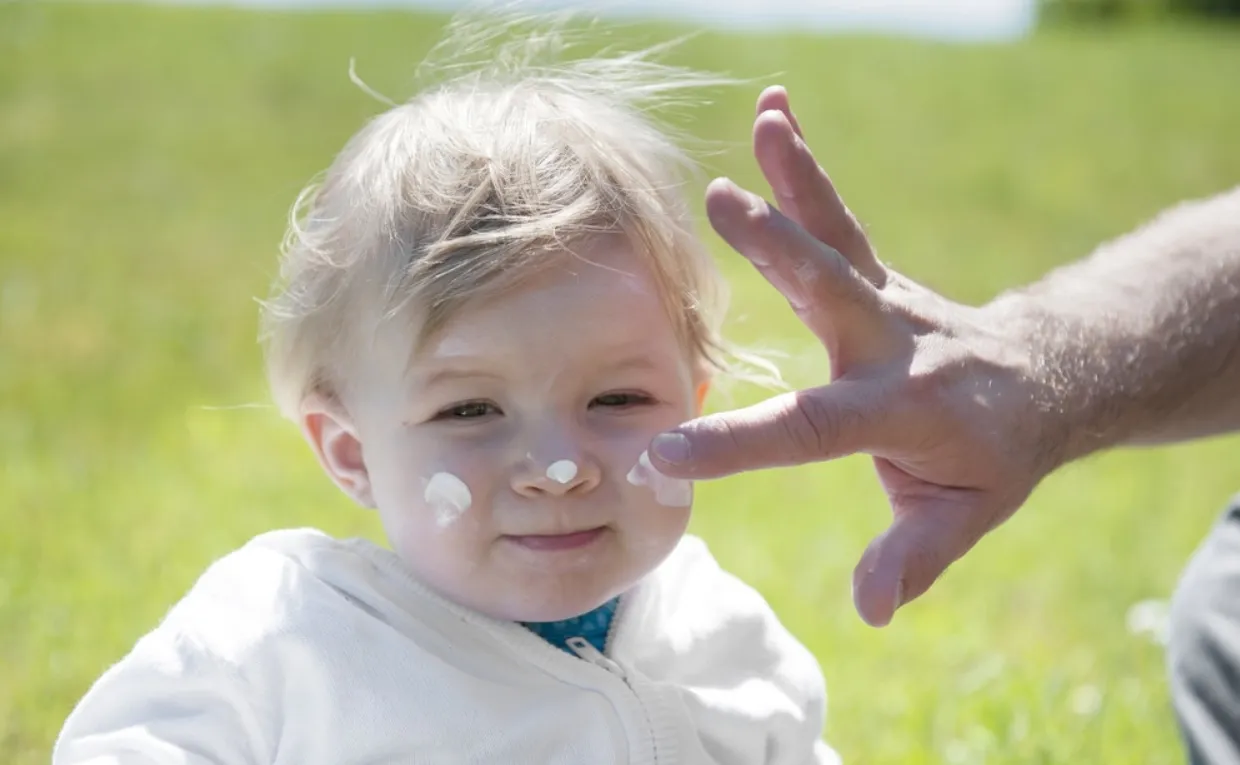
463,190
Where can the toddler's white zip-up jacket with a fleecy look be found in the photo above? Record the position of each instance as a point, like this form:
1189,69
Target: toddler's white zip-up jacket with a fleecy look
299,649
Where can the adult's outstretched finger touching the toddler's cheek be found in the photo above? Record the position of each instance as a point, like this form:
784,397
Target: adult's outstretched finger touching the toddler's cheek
810,426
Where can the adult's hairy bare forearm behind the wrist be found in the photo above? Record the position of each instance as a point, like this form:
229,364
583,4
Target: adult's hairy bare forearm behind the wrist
1140,343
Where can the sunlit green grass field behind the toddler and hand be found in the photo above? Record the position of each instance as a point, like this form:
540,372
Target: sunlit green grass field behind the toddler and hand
148,158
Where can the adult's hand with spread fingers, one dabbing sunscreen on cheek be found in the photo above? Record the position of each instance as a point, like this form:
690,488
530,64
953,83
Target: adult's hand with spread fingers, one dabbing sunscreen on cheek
943,396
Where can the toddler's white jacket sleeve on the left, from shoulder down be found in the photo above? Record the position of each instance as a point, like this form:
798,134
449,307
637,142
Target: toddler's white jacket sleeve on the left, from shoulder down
203,688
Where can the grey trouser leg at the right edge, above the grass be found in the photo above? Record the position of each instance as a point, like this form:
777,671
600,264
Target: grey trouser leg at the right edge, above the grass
1203,649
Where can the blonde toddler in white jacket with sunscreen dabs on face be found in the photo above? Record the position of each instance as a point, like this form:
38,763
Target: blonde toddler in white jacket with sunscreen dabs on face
488,308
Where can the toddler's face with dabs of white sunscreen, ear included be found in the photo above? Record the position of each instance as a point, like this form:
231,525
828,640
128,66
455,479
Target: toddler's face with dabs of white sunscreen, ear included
577,370
